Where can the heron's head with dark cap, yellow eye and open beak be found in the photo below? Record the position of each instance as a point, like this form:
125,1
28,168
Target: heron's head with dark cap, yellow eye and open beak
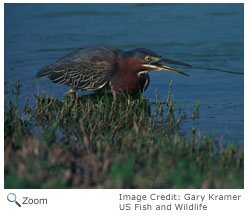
151,61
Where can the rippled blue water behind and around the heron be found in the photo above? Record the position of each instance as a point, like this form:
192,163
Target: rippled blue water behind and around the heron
207,36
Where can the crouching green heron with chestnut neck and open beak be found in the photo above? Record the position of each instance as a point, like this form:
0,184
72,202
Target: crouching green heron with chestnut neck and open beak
95,68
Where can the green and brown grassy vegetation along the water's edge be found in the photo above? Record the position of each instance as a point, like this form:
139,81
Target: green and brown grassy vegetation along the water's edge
97,141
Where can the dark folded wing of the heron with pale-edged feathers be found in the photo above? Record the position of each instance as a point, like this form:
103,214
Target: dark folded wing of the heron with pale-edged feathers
88,68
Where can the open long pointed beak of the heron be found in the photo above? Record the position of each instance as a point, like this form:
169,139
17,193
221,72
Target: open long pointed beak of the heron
157,66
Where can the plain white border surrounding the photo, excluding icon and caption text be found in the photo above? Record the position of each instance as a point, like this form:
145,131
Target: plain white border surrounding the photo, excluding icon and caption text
105,202
